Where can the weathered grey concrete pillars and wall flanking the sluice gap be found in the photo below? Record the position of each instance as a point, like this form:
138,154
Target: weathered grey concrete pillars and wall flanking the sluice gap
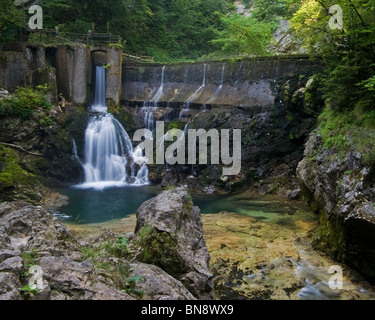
67,70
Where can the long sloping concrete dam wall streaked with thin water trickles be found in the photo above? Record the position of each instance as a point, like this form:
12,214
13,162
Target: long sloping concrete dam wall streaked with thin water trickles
246,83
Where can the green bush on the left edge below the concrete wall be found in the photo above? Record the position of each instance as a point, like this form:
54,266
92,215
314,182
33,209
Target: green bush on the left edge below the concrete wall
24,102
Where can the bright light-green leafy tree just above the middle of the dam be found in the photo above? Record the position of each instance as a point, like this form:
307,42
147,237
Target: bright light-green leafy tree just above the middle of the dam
243,35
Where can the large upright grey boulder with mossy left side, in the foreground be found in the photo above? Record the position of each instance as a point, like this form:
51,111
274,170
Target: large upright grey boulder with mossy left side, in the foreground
170,235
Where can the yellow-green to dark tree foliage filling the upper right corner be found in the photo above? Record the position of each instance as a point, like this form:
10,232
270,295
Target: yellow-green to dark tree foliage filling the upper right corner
349,53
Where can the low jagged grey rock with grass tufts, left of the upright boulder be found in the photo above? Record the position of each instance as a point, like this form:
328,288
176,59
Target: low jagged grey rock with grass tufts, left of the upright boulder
70,270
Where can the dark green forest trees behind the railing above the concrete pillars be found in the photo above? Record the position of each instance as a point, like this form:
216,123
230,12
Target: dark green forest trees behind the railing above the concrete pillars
166,29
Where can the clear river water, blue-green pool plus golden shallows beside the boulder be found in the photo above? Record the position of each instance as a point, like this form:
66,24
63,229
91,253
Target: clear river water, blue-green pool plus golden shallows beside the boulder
260,246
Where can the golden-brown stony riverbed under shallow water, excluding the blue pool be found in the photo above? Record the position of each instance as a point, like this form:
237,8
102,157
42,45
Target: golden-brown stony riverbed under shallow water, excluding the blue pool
268,257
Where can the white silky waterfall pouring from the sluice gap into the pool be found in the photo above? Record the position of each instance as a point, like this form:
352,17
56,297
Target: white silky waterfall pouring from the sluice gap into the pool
109,156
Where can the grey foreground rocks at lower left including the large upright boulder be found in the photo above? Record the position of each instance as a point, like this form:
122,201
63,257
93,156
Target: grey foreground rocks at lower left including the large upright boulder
105,267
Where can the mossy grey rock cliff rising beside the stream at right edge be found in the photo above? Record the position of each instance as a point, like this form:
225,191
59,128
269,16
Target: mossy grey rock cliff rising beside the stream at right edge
342,191
